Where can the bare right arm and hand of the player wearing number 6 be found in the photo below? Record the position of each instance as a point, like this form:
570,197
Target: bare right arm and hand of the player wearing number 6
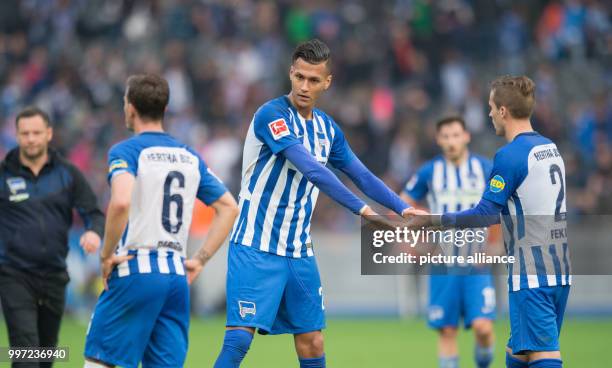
226,211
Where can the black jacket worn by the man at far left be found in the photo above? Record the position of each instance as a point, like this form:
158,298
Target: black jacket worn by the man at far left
36,212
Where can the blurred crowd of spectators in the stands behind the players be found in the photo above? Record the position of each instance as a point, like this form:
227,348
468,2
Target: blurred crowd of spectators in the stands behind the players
398,66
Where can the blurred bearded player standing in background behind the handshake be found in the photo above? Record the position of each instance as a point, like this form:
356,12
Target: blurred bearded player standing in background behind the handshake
456,180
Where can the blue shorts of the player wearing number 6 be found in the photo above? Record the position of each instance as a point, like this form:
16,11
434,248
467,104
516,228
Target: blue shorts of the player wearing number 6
142,317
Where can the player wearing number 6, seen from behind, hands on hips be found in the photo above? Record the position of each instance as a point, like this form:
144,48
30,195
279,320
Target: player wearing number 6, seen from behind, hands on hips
143,313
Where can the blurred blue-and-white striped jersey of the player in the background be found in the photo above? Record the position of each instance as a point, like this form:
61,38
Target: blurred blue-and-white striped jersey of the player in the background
450,188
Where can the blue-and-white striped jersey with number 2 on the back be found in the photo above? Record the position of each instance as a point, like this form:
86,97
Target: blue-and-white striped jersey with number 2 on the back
528,179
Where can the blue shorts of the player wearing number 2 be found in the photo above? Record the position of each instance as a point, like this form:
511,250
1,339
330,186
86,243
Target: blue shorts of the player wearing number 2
536,316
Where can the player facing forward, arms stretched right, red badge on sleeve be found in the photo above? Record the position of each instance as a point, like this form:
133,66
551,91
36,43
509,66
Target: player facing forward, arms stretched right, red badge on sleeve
273,283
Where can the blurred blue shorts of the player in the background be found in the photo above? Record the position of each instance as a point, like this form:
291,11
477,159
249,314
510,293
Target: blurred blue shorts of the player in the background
454,296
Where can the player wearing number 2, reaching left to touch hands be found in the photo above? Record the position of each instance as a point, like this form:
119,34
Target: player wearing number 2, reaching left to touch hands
527,187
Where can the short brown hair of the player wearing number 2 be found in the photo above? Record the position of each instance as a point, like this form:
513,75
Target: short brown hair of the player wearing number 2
517,94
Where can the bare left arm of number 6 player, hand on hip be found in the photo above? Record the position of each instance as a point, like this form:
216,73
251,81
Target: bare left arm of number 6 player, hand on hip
117,216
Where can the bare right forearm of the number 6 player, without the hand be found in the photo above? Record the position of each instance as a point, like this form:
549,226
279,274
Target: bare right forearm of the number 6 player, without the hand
226,212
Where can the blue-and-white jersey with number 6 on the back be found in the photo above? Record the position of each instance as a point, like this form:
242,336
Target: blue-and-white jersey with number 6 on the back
169,176
